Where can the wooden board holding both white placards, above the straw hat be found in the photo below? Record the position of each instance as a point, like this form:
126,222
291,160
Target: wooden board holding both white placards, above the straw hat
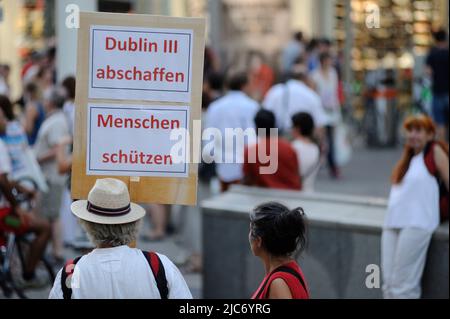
138,93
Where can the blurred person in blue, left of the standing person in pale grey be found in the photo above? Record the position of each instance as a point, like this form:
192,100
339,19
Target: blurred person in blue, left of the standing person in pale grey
34,112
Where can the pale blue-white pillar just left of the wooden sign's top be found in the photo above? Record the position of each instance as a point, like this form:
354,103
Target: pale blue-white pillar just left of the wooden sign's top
67,37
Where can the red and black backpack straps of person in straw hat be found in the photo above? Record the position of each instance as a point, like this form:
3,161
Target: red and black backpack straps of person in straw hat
152,258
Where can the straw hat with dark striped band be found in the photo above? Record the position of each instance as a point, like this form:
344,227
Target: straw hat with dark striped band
108,203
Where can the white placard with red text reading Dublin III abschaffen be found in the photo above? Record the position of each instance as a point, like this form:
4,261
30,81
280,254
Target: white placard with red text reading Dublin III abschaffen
131,63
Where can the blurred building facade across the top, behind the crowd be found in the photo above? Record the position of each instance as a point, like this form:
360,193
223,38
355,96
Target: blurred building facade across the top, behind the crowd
235,27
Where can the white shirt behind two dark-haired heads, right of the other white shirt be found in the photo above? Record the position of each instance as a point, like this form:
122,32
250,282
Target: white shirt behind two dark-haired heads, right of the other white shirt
300,98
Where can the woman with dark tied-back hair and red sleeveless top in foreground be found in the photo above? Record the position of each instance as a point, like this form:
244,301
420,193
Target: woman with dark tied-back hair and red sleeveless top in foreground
276,233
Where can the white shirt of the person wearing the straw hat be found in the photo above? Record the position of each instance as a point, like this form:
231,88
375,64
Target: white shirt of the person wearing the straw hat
120,273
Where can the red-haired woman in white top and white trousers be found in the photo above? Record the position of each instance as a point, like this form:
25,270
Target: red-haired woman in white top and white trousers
413,209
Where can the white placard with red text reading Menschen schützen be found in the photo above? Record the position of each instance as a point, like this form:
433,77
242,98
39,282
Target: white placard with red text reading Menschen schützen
134,140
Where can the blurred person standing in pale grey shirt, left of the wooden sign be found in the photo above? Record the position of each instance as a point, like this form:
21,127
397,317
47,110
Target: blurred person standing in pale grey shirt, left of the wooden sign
50,135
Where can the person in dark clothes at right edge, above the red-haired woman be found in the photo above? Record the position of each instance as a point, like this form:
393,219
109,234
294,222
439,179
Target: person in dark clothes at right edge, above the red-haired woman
437,63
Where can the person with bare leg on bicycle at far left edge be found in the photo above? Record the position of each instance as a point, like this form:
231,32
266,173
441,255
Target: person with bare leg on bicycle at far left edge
13,219
